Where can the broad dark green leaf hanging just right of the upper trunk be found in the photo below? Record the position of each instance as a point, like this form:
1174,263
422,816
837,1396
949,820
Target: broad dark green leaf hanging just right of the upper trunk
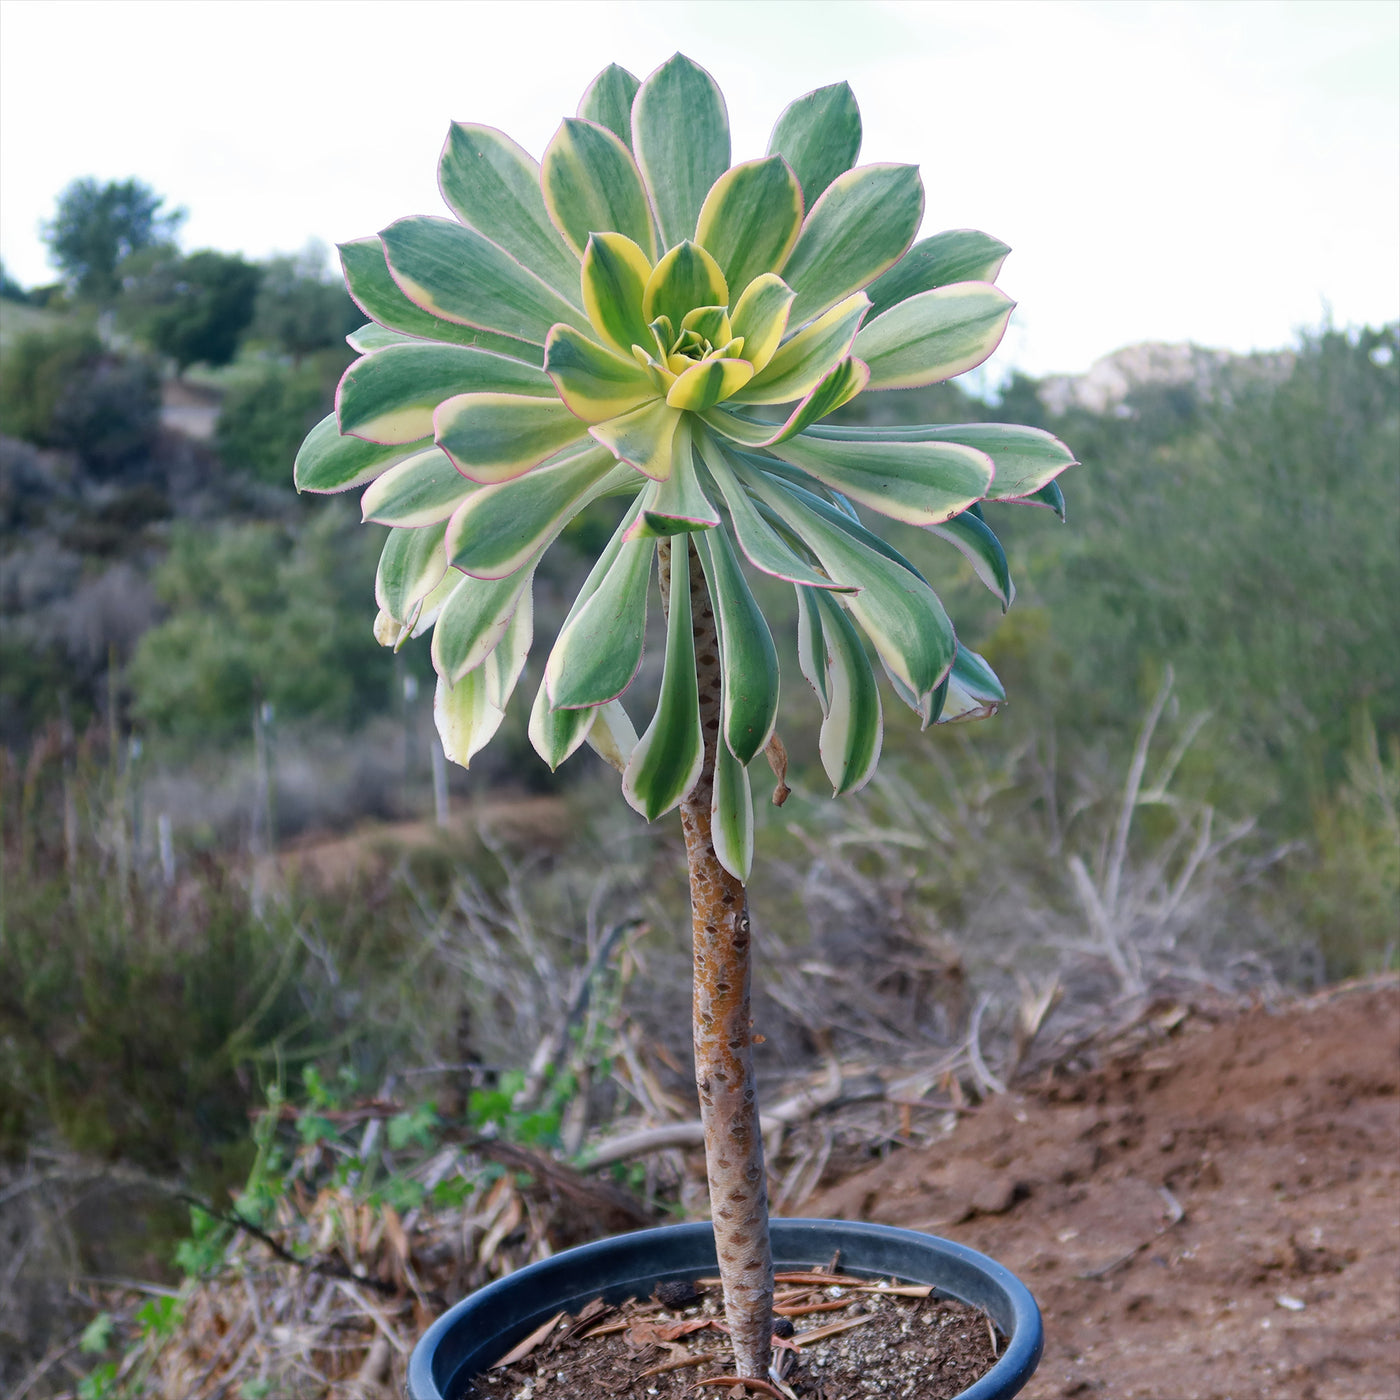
748,659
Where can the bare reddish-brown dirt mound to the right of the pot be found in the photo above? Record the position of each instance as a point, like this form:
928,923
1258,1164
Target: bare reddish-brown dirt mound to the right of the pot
1216,1217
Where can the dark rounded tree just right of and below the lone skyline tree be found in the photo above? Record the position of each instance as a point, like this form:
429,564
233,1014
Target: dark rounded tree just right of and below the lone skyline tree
194,310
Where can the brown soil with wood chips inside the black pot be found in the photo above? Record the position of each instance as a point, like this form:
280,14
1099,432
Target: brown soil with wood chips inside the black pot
845,1342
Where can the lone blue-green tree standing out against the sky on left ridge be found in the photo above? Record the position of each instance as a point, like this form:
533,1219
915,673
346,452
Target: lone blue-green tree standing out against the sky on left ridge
99,226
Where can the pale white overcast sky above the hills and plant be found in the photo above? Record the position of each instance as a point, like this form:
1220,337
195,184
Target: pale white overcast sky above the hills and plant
1220,173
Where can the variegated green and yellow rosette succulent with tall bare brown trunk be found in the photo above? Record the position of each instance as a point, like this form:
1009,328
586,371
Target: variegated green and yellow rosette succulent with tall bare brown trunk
635,317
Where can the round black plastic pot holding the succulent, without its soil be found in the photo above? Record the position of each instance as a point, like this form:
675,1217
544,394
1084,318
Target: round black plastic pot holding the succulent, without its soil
479,1331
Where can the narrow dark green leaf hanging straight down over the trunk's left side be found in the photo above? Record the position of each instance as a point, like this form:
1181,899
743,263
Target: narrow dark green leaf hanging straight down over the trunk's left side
667,761
